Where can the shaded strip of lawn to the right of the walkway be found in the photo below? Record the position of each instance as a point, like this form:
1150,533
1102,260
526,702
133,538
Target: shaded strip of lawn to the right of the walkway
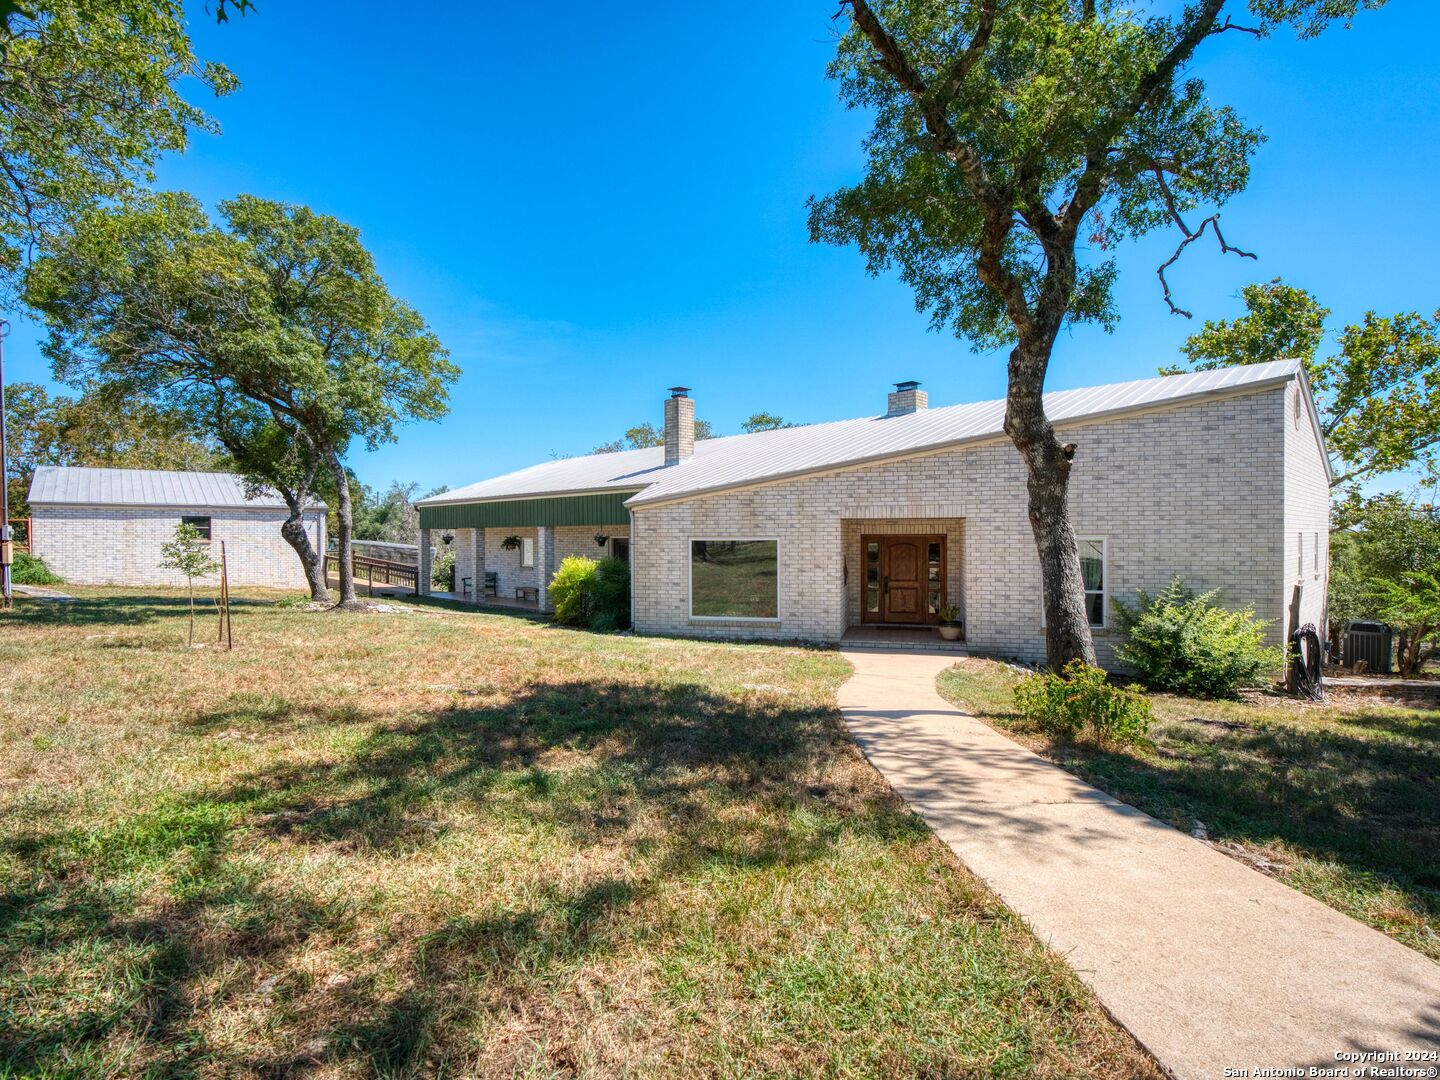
1341,803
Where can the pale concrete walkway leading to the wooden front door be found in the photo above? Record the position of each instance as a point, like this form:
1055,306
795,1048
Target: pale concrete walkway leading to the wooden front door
1207,963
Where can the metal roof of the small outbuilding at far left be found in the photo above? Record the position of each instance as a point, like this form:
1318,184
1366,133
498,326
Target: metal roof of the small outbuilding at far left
97,487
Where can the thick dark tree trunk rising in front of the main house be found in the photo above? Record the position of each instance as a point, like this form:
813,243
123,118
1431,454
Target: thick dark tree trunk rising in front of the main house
1048,472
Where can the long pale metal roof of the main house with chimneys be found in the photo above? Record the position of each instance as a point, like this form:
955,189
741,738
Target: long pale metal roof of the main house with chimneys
738,460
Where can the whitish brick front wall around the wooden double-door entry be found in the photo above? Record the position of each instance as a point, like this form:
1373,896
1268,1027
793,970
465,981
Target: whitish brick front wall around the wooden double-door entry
1197,490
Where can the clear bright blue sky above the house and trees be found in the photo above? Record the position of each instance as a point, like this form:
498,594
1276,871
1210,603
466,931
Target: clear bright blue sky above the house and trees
594,202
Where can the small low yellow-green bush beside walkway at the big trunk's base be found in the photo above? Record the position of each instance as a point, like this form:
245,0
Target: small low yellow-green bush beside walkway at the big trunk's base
1084,702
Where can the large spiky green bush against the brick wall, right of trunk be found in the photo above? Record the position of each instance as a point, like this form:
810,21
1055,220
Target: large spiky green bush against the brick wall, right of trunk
1189,644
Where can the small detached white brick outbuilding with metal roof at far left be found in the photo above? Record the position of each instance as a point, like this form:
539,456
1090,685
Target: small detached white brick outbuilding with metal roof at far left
97,526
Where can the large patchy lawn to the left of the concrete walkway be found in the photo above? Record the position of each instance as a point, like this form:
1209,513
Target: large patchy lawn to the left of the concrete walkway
440,843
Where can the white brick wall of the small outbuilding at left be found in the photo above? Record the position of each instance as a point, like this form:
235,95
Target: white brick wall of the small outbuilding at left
122,545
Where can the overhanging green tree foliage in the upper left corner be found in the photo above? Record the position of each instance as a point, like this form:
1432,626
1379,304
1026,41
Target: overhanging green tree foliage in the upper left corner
89,104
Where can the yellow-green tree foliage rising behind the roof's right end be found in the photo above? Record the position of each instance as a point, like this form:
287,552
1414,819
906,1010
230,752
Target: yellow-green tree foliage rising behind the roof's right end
1379,394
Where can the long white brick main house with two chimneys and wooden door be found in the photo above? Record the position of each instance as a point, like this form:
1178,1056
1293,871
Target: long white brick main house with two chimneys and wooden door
806,534
